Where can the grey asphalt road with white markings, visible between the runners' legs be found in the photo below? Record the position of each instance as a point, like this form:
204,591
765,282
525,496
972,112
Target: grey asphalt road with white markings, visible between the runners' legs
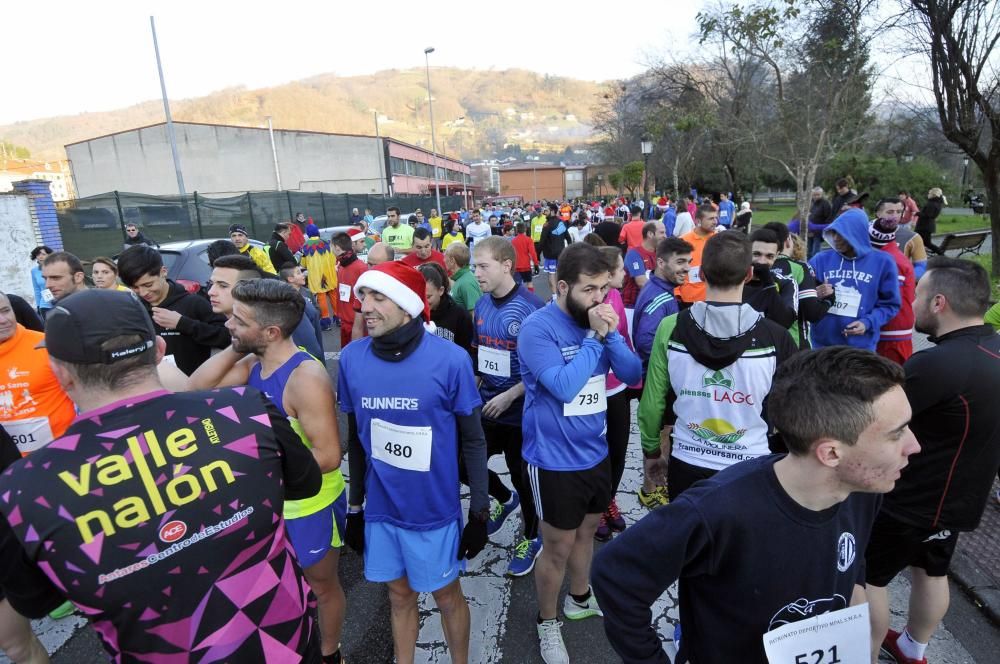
503,610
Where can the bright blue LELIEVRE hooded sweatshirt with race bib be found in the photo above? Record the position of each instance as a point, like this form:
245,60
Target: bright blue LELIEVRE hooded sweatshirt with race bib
866,286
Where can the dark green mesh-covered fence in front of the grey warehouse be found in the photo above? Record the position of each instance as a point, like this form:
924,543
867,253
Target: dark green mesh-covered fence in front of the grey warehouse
95,226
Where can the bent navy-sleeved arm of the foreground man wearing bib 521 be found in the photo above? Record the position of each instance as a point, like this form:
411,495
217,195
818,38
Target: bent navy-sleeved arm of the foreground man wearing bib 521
637,567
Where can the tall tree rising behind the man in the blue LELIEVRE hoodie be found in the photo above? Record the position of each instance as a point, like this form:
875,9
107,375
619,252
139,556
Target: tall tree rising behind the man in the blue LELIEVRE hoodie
816,59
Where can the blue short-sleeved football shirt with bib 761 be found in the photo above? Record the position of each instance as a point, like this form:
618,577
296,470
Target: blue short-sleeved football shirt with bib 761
498,324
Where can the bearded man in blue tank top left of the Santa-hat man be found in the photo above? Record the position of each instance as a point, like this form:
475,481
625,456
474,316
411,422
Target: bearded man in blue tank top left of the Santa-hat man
263,356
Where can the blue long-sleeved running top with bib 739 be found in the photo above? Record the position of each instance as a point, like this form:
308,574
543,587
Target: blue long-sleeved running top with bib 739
559,359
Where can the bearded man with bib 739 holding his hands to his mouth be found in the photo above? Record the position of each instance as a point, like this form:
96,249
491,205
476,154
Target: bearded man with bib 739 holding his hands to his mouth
565,351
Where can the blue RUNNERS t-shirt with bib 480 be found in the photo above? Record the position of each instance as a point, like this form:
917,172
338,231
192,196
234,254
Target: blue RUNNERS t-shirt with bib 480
406,422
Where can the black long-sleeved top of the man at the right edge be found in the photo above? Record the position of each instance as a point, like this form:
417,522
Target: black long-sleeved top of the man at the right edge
953,390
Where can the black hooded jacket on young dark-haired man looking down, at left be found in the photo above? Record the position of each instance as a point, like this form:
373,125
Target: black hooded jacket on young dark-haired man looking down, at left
198,331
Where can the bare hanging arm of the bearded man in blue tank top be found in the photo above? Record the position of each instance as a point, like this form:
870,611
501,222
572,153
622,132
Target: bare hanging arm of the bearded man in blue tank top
309,399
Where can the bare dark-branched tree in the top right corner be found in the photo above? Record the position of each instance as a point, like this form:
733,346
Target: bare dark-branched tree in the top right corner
961,39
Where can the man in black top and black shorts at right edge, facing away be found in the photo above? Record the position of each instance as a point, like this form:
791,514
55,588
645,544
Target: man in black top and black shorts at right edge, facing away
952,389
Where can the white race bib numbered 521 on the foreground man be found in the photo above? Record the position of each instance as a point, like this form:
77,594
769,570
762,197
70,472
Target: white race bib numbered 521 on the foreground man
837,637
